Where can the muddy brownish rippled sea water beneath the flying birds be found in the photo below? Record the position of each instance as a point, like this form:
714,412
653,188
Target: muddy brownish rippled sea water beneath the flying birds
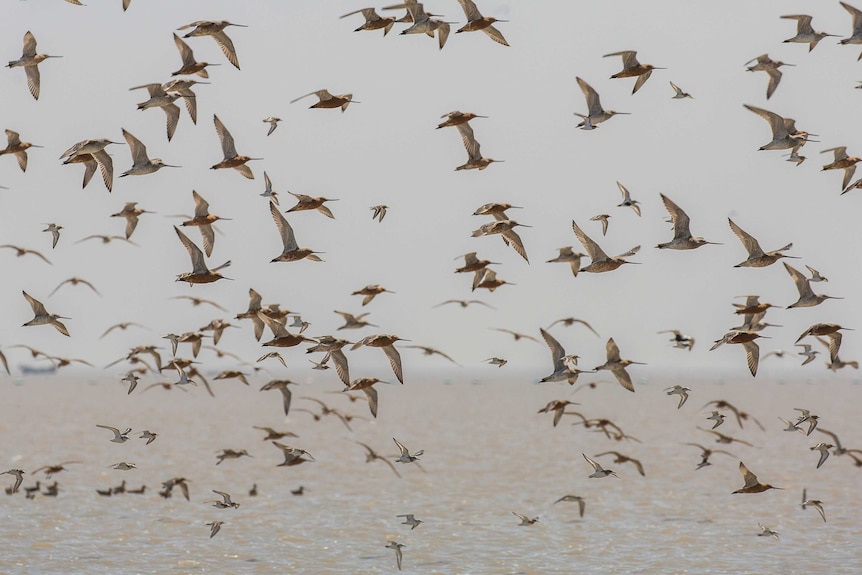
487,454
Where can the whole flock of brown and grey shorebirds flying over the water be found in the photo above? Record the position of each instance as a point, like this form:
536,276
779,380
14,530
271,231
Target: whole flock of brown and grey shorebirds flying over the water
147,361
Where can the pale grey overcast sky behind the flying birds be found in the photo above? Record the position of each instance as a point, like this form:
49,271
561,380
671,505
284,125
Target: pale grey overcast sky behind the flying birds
702,153
